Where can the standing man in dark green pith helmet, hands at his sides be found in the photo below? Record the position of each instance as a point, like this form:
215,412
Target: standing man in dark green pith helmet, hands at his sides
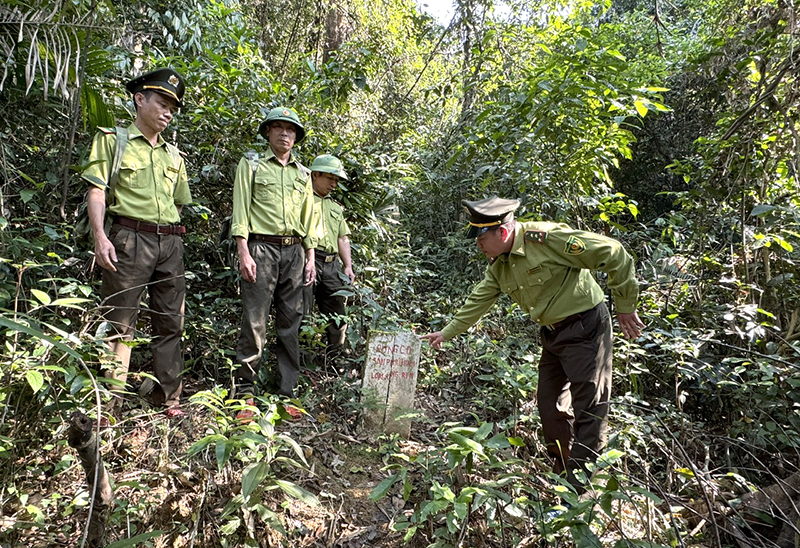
272,212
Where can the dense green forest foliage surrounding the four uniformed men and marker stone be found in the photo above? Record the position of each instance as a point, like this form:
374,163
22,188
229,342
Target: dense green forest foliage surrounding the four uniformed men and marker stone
672,127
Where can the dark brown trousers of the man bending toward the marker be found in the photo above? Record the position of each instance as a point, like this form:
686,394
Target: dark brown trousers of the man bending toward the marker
574,389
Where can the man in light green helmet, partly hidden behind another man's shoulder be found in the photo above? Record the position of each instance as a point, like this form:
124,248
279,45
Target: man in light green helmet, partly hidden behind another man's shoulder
331,232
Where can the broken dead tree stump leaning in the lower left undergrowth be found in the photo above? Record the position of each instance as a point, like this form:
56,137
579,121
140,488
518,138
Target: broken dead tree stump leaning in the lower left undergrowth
82,438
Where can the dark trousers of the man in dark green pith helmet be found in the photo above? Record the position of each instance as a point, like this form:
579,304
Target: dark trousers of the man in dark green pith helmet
279,277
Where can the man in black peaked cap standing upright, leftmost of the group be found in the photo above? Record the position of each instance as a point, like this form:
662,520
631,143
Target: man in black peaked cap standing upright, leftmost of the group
144,247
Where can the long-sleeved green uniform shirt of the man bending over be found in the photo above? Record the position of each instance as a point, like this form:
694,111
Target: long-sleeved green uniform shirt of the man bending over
548,274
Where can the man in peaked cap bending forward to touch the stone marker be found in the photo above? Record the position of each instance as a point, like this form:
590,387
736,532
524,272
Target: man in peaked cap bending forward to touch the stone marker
546,268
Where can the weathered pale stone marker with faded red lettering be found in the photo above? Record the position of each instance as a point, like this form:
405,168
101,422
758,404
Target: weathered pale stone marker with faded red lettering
390,380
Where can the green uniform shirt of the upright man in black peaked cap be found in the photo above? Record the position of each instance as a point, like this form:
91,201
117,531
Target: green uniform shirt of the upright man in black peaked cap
152,179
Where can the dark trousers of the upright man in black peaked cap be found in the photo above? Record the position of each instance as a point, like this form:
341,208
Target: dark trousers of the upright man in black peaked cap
155,262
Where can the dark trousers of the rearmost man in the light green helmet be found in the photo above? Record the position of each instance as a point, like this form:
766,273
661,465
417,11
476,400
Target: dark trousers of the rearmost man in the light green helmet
330,279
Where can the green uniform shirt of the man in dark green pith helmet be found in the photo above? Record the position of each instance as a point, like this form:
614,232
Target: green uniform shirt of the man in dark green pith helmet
278,201
